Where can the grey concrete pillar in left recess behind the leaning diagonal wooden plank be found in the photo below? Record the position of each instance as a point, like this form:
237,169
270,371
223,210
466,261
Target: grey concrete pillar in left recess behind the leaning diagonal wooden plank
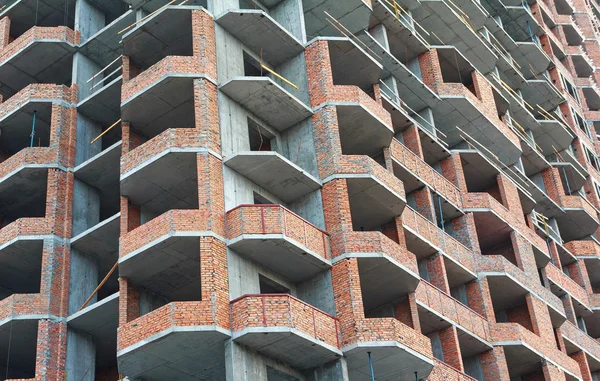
83,280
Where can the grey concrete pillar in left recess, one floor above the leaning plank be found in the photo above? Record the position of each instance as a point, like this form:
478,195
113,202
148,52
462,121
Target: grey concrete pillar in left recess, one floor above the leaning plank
86,207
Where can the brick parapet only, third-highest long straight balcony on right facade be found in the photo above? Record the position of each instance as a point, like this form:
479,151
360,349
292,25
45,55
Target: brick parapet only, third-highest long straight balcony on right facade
443,303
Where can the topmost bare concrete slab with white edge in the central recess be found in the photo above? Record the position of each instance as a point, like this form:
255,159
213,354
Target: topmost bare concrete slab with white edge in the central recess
261,33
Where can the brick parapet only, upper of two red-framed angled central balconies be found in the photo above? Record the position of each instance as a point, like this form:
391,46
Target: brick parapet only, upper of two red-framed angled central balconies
276,219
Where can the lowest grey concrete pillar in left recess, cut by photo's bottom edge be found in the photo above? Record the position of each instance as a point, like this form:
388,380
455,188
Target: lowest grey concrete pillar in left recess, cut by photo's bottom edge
81,356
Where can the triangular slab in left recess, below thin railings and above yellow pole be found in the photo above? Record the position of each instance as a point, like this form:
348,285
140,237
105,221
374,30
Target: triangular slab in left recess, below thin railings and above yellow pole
104,105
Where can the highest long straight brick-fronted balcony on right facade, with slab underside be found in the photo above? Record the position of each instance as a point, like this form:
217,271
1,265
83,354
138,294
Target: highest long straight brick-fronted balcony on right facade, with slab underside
414,171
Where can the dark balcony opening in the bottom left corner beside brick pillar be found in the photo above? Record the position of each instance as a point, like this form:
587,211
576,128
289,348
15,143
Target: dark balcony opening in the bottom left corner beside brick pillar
19,344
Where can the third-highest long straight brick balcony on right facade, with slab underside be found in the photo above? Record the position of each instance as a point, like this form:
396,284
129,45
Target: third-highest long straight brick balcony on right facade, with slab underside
438,310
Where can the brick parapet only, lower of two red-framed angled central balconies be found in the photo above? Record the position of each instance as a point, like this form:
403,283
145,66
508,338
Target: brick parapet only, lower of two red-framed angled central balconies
283,310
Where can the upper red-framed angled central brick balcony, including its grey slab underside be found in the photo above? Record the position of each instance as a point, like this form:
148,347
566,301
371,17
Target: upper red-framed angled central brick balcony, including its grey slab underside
278,239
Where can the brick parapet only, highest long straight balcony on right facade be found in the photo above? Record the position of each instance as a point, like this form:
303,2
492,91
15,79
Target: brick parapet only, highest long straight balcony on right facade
425,173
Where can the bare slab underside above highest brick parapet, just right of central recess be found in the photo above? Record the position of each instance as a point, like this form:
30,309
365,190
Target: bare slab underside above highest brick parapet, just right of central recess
352,65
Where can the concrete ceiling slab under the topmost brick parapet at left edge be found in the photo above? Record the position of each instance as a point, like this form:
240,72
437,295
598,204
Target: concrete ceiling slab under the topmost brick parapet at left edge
41,61
